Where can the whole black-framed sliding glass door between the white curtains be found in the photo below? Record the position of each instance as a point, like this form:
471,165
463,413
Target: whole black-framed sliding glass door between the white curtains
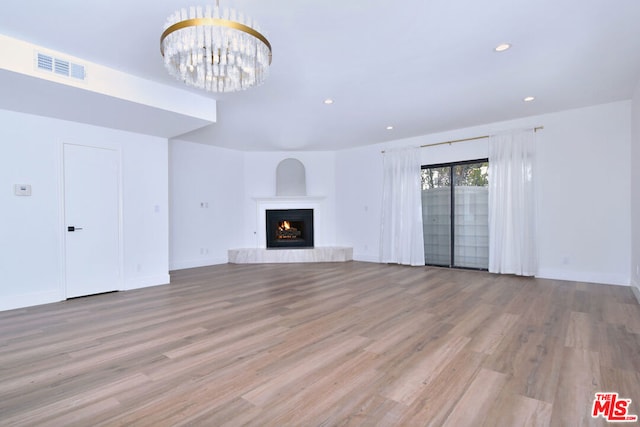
455,214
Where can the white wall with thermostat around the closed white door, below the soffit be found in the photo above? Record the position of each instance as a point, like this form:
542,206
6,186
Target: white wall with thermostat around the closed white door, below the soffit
32,232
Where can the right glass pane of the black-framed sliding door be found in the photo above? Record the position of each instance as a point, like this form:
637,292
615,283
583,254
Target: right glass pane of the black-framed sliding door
471,215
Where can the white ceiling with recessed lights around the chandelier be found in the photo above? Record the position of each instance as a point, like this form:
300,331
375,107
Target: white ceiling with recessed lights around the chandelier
422,66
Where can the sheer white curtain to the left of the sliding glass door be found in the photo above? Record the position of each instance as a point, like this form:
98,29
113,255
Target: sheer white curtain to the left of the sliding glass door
401,237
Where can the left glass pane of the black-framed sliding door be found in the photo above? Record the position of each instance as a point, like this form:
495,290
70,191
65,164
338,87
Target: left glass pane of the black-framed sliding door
436,215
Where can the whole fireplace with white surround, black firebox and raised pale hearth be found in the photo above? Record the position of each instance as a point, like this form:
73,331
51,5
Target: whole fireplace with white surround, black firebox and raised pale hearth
302,239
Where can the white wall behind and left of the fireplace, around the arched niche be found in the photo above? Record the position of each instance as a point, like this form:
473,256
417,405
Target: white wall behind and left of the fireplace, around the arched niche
229,182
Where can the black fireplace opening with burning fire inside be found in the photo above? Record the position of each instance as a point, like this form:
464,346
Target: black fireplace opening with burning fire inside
289,228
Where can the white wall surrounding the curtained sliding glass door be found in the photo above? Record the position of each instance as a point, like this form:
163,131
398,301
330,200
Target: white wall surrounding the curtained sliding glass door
583,189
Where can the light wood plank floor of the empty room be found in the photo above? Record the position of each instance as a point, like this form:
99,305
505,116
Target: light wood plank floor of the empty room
323,344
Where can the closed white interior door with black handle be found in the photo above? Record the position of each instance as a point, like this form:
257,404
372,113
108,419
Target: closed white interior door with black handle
92,220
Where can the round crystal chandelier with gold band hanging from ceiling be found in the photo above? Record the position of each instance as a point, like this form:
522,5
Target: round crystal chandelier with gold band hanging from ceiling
216,49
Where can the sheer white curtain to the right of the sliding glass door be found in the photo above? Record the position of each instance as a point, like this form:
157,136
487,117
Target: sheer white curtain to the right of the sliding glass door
512,234
